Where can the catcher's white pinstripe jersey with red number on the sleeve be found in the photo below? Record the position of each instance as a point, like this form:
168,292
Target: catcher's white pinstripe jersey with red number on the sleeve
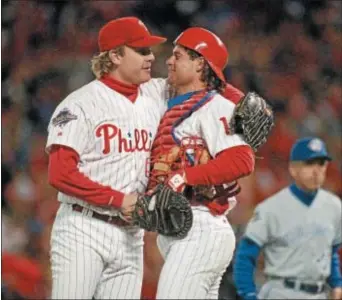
211,123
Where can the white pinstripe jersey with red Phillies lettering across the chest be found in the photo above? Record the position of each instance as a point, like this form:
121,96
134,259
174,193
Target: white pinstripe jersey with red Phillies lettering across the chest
112,135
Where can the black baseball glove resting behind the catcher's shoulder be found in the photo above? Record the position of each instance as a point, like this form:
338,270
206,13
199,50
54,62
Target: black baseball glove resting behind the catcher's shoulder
254,119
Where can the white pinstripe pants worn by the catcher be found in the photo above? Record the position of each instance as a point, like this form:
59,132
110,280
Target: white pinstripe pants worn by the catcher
194,266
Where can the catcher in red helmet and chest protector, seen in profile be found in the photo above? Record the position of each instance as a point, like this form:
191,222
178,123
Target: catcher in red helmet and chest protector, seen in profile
194,265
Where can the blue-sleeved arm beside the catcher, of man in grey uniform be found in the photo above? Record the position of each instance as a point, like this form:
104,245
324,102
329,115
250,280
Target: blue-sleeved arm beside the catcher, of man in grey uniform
244,267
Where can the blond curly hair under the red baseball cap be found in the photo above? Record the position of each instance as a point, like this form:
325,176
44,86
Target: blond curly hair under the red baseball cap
101,63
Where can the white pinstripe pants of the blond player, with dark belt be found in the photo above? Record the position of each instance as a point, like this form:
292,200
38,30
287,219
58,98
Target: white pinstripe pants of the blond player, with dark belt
91,258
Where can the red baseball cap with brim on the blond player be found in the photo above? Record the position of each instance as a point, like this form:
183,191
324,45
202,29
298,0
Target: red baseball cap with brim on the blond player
128,31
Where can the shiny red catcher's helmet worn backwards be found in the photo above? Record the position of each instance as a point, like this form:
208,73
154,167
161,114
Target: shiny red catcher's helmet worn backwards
208,44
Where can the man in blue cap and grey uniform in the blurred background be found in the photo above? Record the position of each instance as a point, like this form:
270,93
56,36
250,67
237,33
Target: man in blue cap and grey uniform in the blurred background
299,231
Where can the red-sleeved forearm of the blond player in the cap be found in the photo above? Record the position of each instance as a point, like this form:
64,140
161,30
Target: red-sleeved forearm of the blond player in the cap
65,177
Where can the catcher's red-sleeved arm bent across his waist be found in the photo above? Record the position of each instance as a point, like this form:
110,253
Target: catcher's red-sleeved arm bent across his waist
231,164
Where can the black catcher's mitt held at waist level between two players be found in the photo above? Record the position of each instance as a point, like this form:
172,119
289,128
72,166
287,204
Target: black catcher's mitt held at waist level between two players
165,211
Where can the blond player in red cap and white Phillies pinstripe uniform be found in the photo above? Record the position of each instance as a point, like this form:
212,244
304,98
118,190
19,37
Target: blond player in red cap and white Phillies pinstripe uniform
99,146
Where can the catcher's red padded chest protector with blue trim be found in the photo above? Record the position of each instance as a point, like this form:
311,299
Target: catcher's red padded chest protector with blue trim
170,154
